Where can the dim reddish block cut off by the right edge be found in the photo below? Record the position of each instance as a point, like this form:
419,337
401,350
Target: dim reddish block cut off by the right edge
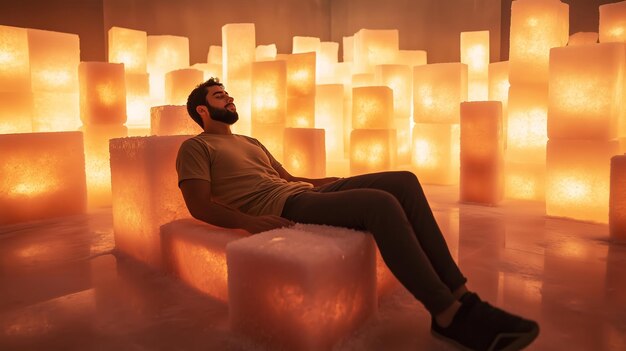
617,198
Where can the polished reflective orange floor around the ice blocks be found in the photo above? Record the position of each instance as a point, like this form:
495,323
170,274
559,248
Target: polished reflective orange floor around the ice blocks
62,288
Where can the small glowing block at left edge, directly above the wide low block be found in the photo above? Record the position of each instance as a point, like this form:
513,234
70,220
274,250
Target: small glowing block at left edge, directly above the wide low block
16,110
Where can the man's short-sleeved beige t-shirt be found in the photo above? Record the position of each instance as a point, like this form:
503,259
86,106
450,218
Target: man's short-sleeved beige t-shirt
241,171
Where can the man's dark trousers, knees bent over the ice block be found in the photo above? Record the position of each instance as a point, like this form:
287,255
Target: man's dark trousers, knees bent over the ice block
393,208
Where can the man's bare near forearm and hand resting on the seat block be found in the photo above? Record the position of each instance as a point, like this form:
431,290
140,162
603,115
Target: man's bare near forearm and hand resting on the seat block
197,195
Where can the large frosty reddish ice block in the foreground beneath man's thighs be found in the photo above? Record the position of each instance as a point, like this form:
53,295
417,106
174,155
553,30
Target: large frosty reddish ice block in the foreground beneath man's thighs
301,288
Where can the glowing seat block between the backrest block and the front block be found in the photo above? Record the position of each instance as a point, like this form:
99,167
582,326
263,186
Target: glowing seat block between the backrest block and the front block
195,252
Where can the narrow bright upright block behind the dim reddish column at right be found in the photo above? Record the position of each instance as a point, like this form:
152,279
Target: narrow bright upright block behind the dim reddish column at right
475,54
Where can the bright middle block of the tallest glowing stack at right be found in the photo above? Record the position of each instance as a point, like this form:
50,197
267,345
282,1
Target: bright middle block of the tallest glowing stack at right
526,126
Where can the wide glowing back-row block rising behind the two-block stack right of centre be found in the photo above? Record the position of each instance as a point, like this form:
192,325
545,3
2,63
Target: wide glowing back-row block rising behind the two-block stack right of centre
375,47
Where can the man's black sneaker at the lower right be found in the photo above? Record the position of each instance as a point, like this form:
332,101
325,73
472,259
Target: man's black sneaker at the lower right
479,326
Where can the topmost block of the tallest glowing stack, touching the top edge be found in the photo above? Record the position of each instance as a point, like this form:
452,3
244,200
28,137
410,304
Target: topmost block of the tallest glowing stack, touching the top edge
536,27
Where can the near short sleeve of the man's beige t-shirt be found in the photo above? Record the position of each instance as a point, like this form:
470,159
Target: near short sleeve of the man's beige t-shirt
193,161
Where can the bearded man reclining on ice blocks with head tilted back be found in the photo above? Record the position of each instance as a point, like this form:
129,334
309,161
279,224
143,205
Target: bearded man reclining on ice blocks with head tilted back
232,181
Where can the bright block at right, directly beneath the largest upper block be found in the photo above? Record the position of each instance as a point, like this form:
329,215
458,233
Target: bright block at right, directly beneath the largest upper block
577,179
